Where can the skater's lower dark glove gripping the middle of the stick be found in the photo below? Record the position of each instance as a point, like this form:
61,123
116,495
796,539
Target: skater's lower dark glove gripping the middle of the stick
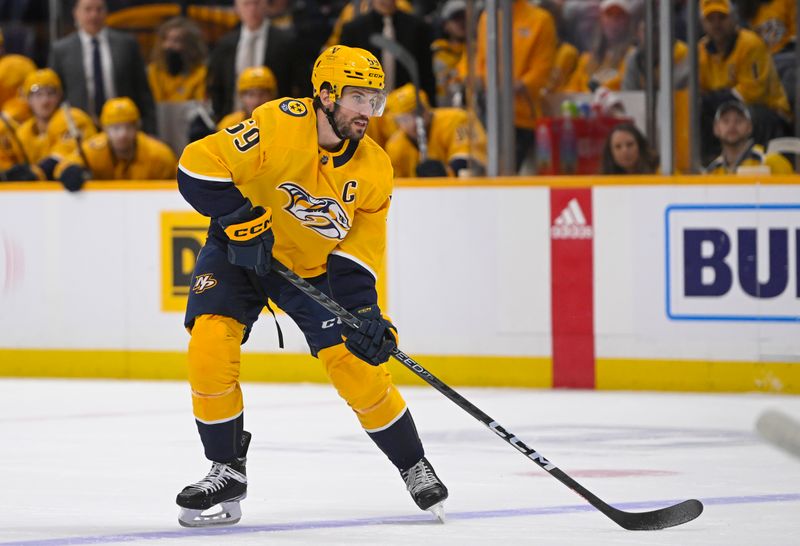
374,340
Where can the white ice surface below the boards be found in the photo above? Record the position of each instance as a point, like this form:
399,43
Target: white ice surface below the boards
100,462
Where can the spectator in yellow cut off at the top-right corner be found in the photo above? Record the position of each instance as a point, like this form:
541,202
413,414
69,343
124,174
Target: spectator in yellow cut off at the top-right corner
776,21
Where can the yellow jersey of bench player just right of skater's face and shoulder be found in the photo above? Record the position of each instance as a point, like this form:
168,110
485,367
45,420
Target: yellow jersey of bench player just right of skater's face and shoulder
448,140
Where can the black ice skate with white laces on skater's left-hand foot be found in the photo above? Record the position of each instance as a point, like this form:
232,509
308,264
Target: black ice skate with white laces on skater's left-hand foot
225,485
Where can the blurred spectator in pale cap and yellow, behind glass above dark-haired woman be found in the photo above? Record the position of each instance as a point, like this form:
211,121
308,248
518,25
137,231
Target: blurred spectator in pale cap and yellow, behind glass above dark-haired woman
604,64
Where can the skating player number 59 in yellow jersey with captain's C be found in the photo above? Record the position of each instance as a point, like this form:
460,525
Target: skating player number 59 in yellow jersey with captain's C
298,181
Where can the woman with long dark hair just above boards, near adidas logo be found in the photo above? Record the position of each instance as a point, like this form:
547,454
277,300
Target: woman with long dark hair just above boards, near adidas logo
626,151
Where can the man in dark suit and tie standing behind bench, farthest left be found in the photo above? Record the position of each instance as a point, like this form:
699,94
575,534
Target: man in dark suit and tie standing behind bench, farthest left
96,63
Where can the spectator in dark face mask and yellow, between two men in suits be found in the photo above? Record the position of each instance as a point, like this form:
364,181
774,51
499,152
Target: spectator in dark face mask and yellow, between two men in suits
177,71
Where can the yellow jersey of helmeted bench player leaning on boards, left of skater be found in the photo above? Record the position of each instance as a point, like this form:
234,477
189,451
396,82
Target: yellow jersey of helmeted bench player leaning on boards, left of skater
154,160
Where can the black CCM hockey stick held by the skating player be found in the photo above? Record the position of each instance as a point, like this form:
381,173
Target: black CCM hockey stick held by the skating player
657,519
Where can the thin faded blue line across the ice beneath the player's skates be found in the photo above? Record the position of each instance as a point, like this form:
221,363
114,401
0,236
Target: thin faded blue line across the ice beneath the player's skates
387,520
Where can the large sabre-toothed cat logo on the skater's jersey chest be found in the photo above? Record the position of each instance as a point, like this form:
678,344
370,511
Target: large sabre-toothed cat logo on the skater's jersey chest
322,214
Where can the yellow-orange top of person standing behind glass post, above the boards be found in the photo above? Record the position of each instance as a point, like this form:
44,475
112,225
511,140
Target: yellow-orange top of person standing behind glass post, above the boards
534,43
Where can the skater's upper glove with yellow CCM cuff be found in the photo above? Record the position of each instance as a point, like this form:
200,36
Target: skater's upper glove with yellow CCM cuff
250,237
